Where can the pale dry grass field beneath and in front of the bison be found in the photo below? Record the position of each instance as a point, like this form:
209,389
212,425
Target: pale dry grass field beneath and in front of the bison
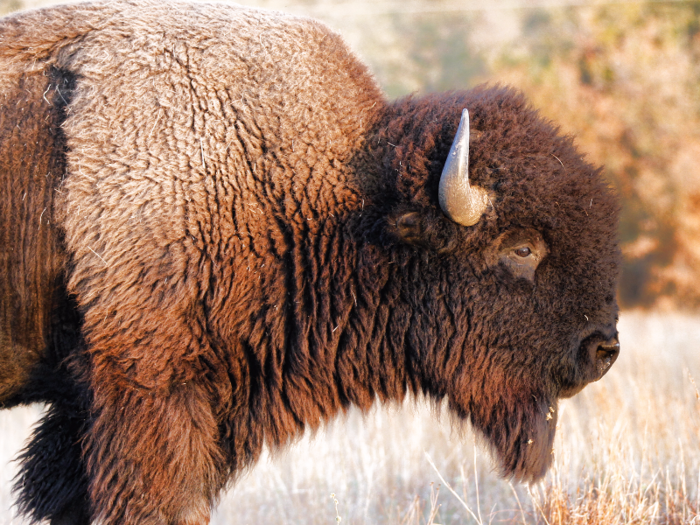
627,451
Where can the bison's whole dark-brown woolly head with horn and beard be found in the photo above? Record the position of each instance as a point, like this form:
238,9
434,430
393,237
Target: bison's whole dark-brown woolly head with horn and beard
507,241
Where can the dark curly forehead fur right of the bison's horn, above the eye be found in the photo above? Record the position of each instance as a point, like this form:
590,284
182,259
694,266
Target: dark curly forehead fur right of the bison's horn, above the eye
537,177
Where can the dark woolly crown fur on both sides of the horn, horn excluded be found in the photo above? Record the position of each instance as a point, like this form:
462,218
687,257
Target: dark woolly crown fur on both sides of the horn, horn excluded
534,174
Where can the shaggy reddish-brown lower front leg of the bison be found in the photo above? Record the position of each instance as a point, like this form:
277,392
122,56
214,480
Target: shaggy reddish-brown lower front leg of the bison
153,456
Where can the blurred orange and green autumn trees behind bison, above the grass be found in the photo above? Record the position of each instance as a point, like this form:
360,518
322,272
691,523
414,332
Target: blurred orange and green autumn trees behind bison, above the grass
622,76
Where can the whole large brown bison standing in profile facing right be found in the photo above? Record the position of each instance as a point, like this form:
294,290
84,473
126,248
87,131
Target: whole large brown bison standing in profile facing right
217,232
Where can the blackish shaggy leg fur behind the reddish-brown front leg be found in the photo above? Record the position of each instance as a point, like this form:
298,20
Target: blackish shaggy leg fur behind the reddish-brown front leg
52,483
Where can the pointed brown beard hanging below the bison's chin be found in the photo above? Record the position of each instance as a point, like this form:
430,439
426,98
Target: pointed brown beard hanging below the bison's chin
519,432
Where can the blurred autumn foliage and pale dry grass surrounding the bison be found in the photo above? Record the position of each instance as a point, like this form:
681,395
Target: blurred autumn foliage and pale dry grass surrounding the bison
623,77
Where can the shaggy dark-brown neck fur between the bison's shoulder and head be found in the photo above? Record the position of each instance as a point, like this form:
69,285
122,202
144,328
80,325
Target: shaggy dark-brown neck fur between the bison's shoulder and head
322,312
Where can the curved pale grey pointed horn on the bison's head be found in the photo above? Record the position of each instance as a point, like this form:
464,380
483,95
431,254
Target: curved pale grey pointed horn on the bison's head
462,203
